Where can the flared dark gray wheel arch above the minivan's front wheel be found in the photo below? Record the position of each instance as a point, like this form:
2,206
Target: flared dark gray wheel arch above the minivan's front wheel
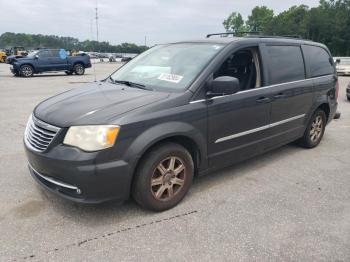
163,131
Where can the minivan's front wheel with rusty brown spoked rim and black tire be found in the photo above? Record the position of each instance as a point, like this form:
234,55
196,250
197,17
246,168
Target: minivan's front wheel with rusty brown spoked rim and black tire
170,181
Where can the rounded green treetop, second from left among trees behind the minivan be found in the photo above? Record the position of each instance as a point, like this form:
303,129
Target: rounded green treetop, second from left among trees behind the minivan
259,18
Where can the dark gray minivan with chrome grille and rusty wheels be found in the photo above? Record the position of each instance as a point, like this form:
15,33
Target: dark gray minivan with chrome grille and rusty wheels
180,110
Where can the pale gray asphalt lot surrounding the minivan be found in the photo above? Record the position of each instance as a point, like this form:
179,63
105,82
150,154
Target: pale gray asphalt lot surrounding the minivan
291,204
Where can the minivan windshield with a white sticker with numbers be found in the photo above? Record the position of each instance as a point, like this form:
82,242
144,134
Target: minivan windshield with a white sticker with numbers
171,67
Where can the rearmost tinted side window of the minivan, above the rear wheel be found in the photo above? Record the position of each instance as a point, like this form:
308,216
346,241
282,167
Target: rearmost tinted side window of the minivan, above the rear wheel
320,62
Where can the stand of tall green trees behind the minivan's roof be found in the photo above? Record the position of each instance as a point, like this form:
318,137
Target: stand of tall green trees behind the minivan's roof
327,23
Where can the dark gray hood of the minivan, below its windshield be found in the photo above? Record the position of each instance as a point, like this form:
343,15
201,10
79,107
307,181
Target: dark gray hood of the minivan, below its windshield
92,104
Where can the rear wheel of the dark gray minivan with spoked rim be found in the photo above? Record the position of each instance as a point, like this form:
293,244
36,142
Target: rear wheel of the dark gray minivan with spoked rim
315,130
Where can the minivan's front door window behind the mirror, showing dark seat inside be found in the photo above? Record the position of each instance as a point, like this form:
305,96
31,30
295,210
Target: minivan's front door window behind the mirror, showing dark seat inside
243,65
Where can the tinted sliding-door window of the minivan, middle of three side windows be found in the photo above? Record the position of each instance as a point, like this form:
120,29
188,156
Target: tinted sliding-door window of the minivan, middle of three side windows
286,64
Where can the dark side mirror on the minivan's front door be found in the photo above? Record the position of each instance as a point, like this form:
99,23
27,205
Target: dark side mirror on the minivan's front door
223,85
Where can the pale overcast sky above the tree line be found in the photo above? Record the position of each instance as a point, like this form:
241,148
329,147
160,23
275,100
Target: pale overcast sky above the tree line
128,20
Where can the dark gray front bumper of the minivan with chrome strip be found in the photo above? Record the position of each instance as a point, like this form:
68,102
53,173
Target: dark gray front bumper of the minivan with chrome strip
77,175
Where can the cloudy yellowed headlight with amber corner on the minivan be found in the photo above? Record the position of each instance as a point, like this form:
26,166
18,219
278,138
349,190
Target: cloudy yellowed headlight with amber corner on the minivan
91,138
